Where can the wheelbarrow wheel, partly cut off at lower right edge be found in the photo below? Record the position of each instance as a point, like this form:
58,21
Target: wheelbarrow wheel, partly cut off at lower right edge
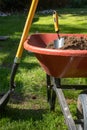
82,110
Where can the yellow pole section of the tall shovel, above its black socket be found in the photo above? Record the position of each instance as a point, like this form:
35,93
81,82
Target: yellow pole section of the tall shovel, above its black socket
27,27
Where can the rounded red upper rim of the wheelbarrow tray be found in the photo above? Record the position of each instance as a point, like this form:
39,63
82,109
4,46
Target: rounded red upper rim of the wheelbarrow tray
29,46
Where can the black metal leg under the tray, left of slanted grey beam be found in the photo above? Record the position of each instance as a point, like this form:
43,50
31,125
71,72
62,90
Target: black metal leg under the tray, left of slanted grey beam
51,95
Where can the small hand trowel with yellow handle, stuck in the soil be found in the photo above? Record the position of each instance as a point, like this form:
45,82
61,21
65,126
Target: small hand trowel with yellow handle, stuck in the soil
58,43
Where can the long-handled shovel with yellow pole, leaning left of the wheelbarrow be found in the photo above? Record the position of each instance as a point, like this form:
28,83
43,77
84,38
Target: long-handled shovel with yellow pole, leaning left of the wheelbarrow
5,98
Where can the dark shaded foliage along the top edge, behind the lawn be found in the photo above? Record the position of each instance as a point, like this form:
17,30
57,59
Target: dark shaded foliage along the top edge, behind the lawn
43,4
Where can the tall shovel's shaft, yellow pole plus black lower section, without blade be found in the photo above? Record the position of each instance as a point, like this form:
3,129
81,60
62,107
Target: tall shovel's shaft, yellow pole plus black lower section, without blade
23,38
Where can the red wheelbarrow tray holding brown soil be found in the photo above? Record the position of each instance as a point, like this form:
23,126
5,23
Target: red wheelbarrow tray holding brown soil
58,63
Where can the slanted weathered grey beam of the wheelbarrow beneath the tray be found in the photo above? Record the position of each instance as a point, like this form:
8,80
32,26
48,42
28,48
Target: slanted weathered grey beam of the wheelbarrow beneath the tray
68,117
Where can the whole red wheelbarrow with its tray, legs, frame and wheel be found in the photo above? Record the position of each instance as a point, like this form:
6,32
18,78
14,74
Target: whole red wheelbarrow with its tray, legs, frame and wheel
61,64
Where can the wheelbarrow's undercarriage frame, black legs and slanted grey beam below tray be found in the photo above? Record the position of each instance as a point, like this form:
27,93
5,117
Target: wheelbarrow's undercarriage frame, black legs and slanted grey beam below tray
54,85
